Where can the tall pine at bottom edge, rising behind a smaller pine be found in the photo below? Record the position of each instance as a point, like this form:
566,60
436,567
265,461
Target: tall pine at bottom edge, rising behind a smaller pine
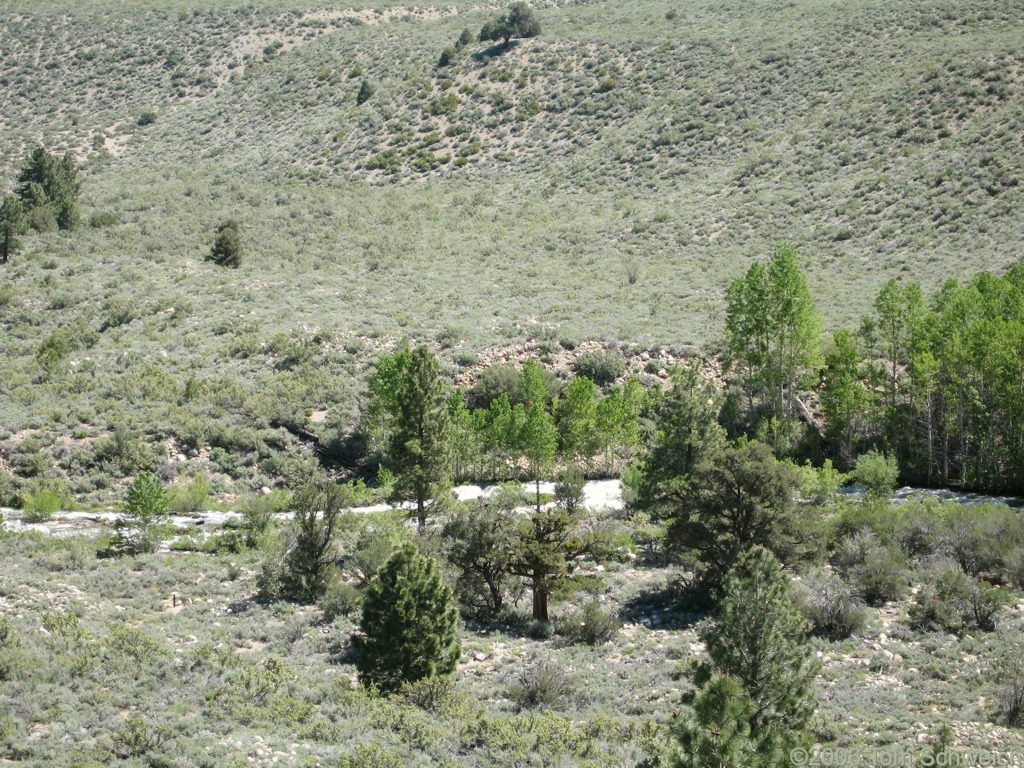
759,637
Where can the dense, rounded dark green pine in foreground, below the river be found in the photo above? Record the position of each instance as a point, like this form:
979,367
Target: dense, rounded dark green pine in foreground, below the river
410,624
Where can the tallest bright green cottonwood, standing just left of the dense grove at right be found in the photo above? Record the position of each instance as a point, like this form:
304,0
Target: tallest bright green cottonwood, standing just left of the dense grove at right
773,332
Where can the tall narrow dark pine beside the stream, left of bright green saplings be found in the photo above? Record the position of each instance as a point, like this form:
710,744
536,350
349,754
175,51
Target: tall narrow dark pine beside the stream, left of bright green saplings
420,455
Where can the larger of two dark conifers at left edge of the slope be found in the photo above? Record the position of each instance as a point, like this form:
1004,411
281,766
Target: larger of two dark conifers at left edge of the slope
49,189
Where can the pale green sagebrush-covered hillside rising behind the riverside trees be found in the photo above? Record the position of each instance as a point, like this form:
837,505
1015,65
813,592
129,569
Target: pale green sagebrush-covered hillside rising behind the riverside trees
620,172
